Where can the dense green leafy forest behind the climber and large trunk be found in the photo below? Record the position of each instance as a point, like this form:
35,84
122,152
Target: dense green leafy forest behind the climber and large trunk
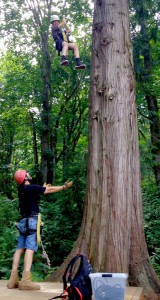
44,121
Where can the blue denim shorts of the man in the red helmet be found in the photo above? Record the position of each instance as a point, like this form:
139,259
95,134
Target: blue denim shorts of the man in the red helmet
28,241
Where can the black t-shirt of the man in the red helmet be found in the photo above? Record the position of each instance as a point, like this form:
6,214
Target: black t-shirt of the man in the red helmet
29,198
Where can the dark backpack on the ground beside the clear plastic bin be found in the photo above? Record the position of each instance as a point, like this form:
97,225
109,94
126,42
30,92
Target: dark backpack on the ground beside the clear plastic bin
79,286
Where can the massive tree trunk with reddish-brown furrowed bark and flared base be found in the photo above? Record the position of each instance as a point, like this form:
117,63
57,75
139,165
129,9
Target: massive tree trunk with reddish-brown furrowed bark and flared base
112,232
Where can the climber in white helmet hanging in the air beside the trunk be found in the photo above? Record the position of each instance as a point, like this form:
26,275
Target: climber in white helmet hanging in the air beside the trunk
61,38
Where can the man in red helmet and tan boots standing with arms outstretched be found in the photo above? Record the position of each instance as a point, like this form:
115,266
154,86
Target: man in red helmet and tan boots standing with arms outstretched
29,198
